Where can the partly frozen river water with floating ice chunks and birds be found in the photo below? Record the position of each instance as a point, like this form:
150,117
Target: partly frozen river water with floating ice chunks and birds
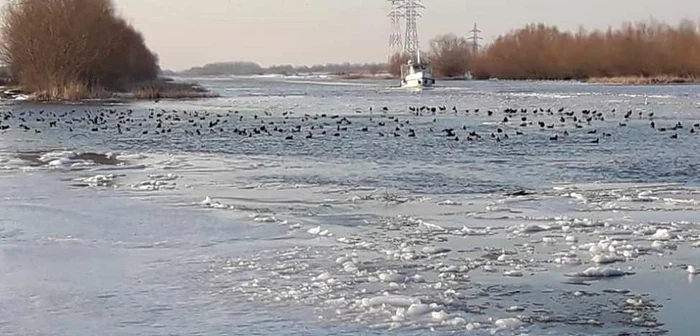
313,206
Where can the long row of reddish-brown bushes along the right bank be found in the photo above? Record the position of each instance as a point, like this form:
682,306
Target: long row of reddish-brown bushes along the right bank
646,50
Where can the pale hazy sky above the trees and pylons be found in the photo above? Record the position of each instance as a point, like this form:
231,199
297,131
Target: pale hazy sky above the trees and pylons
186,33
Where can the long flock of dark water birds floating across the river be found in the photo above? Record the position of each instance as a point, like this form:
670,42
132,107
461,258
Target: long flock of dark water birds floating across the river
501,124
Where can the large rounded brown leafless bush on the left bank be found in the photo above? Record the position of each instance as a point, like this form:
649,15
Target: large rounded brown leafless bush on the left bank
73,49
